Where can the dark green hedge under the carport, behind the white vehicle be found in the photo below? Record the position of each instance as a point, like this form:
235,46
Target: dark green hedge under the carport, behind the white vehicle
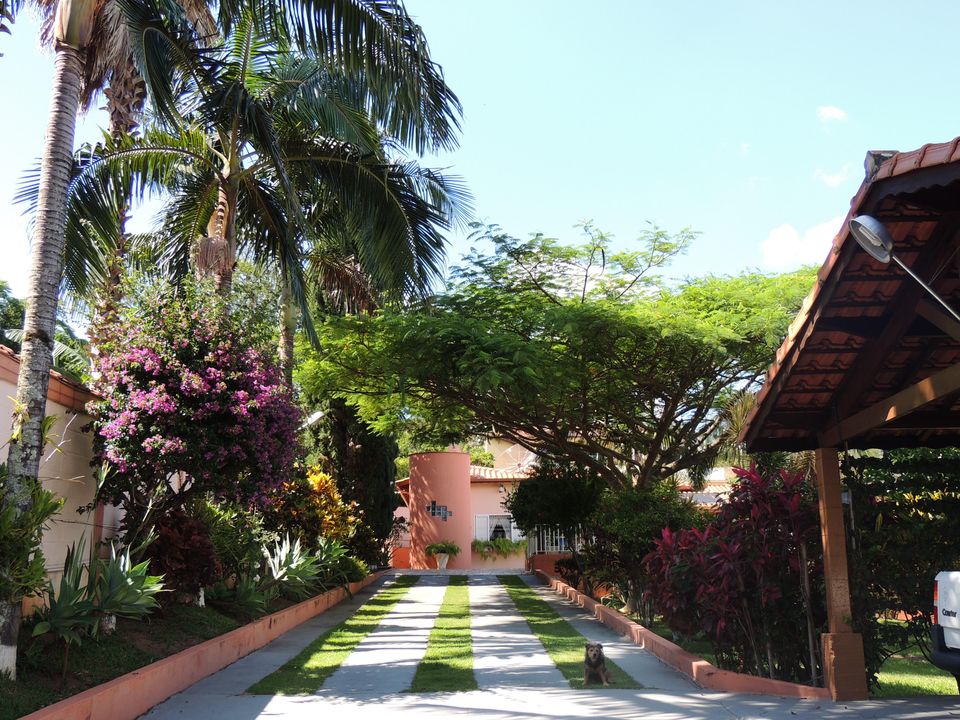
904,530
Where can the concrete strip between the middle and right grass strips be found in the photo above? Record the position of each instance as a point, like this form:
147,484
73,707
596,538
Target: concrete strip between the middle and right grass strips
505,652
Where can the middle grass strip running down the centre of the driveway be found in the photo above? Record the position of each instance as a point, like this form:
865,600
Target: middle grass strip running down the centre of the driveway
447,665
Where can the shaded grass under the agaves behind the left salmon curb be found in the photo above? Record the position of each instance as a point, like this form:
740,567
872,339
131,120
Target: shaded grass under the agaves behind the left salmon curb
133,645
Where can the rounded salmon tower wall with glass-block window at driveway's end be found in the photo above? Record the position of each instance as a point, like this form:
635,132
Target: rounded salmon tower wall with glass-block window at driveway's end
445,478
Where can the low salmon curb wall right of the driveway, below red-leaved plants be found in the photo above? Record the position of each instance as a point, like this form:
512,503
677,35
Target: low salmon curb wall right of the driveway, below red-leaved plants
697,669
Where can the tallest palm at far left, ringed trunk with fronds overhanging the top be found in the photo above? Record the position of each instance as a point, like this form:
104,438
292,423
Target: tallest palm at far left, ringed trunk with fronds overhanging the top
375,39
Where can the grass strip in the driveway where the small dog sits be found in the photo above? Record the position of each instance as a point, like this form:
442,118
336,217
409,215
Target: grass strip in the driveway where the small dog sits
563,644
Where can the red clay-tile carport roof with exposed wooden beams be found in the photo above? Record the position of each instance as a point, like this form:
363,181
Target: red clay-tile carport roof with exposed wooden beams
872,360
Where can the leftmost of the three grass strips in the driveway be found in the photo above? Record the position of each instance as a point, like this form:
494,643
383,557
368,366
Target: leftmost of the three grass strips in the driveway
306,673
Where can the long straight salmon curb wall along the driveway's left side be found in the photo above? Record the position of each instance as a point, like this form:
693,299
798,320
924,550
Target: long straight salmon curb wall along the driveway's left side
129,696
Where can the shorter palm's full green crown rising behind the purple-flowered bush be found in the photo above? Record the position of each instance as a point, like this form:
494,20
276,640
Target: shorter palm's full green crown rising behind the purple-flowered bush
291,163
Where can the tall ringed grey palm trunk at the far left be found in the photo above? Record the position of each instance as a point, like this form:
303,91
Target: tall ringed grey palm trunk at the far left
46,266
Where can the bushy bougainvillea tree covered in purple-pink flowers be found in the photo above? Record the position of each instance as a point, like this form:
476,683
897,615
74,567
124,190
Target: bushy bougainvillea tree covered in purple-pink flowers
188,407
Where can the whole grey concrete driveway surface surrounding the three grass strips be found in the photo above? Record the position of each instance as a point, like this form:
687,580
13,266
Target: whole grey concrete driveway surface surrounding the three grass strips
517,679
